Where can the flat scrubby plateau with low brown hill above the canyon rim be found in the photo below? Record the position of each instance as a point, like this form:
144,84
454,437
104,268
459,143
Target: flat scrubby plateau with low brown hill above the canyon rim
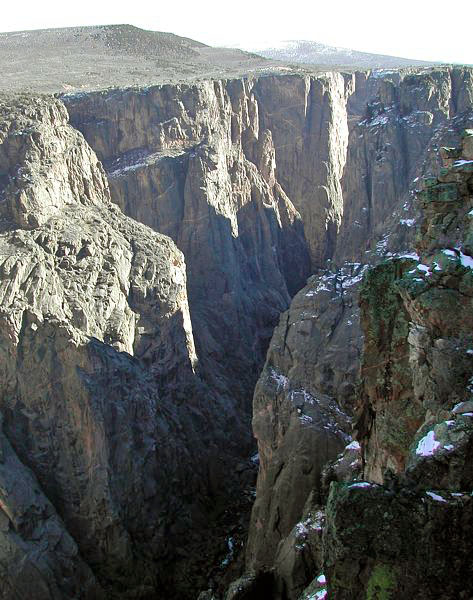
99,57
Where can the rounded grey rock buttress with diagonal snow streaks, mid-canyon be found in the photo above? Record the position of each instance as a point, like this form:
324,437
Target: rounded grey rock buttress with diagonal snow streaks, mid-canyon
298,425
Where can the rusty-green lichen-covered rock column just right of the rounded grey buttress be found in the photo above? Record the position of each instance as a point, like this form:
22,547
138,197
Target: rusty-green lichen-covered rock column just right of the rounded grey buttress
386,371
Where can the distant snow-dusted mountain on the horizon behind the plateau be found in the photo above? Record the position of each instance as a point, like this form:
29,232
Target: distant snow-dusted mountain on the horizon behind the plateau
308,52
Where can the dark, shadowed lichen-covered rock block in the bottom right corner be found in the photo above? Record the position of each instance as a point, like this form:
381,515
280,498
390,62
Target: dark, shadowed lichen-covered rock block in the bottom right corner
385,544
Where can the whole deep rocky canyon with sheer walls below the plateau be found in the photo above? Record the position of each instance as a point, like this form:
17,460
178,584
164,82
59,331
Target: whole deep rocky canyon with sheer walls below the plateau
181,264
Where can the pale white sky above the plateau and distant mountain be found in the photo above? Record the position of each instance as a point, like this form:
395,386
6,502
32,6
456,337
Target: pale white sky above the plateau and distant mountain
422,29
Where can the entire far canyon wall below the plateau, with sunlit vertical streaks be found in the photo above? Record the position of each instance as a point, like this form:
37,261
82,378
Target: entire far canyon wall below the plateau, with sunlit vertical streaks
254,178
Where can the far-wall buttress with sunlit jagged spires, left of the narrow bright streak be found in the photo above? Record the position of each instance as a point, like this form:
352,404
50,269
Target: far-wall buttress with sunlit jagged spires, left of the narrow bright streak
193,163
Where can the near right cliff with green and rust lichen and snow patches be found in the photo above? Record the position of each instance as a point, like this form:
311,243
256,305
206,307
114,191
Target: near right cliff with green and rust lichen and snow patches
385,536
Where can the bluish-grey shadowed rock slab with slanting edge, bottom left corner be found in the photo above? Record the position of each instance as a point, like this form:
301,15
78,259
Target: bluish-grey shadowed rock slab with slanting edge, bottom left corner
35,546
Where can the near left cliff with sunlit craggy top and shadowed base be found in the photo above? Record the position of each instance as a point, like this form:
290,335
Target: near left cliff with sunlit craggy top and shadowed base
109,451
